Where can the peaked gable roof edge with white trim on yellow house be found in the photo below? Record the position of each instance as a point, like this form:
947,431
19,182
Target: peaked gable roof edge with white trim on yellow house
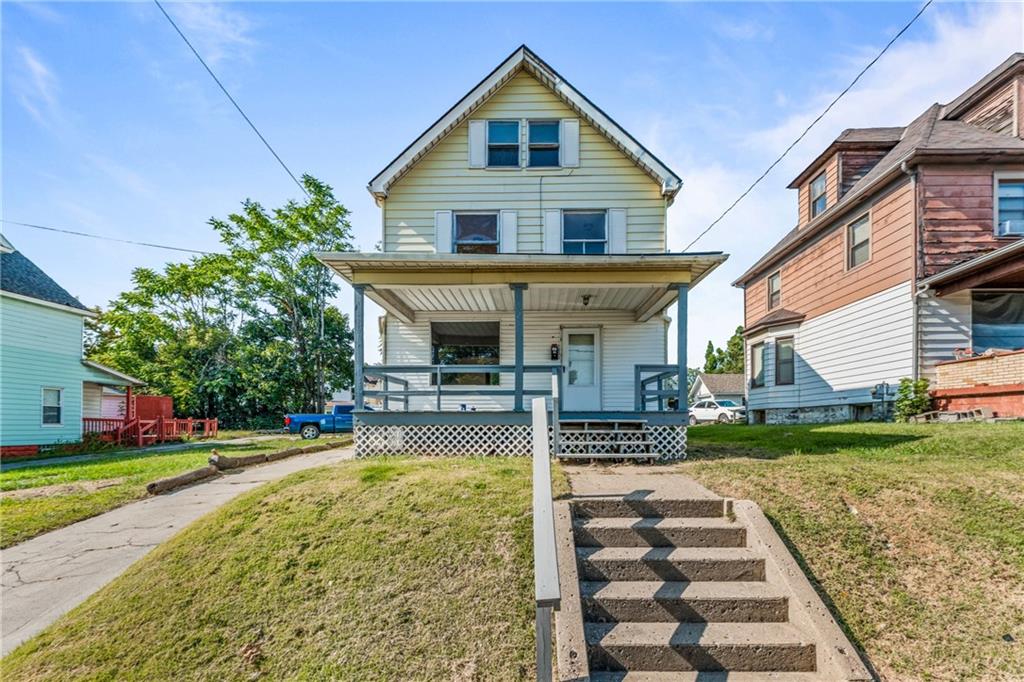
525,60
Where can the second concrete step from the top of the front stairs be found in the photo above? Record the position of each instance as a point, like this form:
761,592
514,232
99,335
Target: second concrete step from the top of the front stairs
627,532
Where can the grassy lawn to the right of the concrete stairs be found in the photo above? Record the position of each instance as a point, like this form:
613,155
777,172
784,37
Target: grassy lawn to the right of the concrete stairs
914,534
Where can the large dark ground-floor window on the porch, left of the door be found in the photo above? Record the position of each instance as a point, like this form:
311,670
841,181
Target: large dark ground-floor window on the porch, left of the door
465,344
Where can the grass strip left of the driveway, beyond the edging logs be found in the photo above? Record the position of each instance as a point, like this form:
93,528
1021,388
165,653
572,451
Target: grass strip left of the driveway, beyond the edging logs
34,500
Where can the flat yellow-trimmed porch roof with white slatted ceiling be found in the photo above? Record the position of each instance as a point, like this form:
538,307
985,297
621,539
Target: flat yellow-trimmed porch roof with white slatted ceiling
407,284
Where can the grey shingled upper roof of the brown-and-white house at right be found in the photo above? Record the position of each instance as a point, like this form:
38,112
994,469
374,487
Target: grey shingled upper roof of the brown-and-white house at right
934,135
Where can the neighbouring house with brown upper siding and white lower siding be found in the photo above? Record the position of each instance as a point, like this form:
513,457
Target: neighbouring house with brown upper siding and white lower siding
908,248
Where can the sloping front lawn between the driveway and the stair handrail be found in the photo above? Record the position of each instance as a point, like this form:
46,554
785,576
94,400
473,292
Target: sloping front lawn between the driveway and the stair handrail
387,570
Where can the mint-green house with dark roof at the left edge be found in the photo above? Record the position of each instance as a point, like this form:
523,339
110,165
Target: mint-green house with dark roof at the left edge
49,392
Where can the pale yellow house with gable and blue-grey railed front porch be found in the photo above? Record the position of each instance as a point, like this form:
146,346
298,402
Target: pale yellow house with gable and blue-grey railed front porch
524,254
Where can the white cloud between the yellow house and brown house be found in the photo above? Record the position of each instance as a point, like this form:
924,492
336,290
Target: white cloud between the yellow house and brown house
945,54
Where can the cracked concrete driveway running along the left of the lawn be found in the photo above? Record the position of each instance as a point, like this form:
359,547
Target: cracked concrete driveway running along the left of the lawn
47,577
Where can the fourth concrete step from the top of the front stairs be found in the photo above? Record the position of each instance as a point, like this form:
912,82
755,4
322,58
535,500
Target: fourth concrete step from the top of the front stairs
655,602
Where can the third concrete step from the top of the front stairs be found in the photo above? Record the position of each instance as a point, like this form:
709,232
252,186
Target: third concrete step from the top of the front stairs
669,564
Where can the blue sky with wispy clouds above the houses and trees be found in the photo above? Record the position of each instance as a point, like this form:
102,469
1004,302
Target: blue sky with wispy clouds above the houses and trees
111,126
